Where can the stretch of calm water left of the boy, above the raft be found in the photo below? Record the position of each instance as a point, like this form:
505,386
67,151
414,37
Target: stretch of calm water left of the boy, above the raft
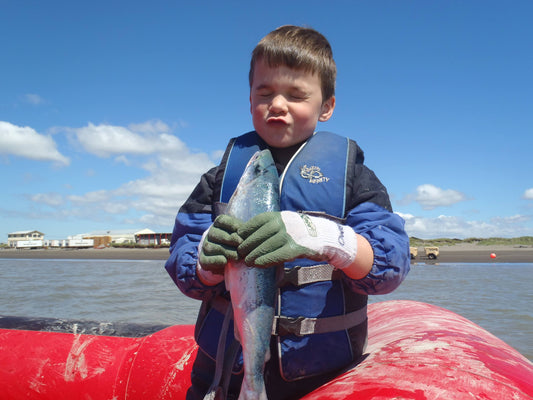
100,290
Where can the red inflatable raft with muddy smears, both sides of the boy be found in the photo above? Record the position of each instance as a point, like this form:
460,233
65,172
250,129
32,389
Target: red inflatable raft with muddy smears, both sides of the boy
415,351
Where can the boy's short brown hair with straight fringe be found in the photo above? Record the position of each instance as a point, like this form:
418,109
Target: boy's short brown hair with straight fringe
298,48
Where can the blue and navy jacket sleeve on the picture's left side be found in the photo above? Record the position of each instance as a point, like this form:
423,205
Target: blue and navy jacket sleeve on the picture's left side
193,219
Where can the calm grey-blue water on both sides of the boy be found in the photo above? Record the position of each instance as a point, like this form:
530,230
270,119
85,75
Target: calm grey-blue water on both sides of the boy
496,296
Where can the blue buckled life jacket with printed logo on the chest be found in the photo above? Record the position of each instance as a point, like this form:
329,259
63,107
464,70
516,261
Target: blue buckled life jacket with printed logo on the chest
317,316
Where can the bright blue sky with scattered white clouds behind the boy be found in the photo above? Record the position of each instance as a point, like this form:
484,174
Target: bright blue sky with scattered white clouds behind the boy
111,110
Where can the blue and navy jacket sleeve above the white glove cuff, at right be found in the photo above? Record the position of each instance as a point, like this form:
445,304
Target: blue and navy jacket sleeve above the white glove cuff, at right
371,216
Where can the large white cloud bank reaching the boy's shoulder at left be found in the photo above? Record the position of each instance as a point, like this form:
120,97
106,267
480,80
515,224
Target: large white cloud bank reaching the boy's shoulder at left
152,200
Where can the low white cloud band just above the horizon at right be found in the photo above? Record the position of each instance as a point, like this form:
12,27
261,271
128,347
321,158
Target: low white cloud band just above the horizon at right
457,227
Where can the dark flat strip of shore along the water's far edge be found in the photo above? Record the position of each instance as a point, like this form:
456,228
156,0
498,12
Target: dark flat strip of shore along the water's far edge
462,253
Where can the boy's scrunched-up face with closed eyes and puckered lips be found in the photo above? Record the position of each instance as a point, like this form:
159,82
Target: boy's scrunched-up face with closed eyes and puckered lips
286,104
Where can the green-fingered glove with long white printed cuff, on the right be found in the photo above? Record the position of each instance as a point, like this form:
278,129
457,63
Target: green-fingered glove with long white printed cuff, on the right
273,238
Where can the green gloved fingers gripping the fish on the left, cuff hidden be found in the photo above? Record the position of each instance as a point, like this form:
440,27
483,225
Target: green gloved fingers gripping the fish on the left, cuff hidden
219,245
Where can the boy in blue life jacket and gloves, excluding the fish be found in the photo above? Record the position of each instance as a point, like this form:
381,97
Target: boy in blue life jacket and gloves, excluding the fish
336,237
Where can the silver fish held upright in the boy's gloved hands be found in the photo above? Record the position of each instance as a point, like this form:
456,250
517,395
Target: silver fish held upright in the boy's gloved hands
253,290
